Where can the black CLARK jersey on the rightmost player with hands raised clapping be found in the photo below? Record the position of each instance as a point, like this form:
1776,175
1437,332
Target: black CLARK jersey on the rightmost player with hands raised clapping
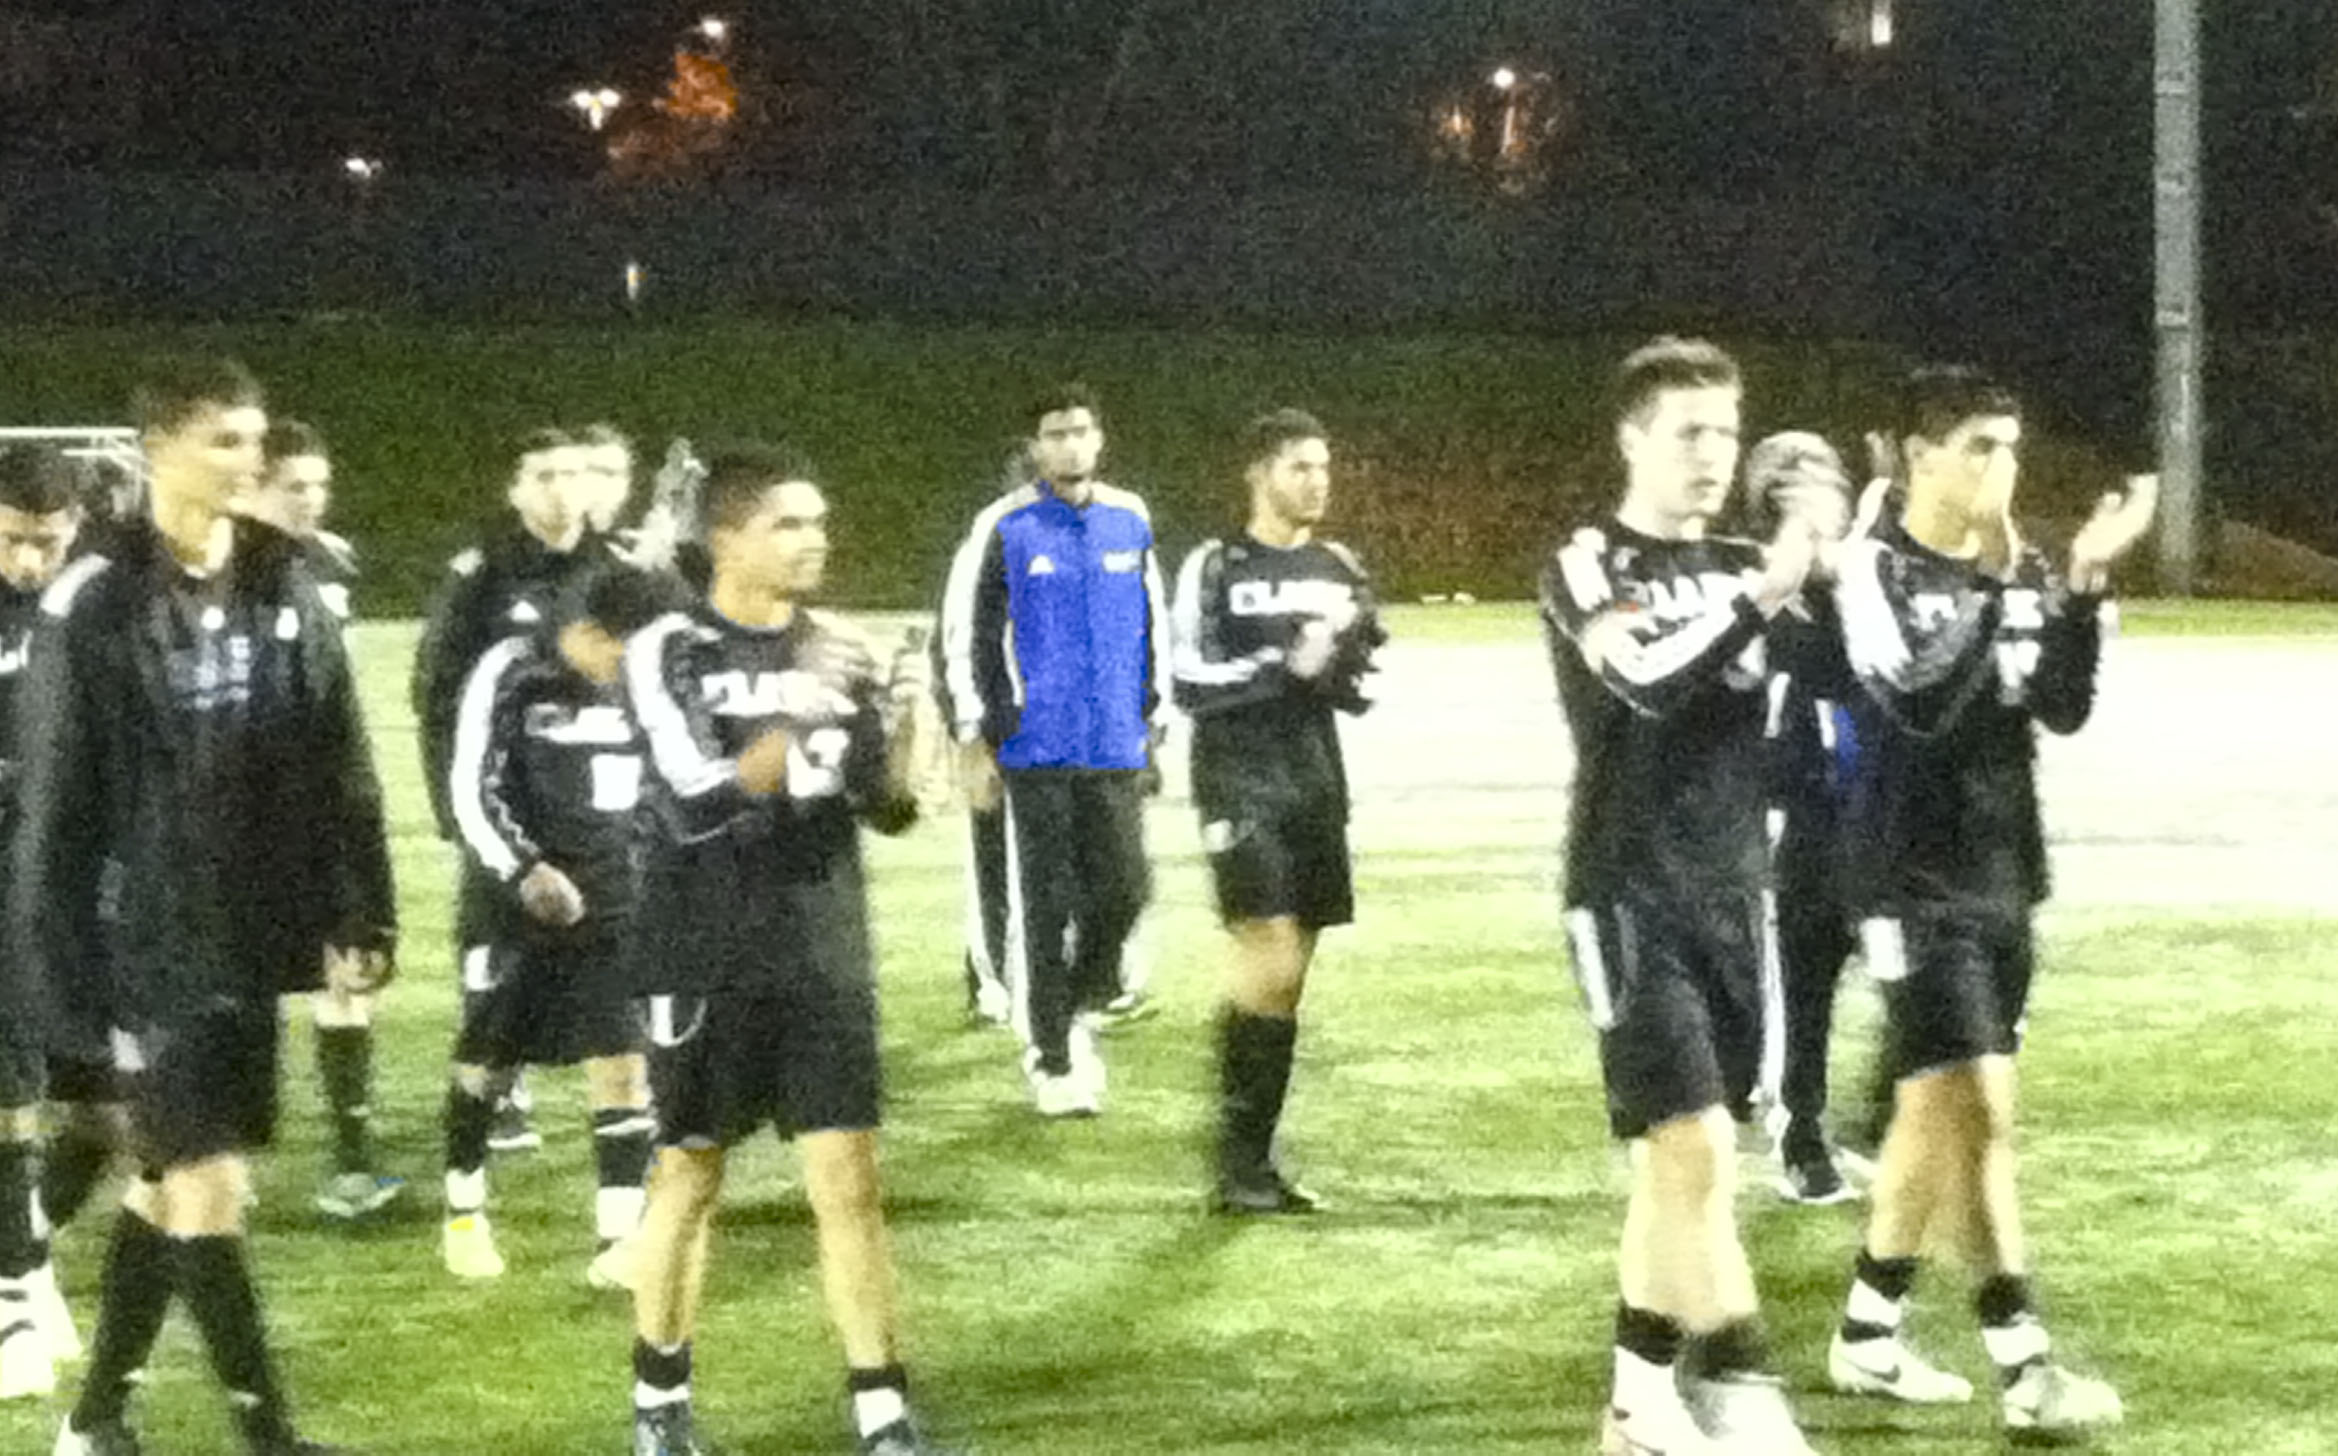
1953,672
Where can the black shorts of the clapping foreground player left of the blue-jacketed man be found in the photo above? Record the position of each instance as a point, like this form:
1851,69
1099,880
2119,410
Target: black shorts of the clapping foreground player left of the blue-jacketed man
801,1058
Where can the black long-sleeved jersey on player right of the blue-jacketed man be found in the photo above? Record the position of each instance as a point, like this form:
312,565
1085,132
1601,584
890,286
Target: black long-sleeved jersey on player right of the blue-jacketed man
1264,740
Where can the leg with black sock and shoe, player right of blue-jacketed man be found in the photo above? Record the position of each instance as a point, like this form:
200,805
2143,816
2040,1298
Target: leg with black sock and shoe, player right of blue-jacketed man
1257,1036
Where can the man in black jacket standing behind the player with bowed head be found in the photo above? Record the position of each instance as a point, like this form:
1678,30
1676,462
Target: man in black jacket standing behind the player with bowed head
509,583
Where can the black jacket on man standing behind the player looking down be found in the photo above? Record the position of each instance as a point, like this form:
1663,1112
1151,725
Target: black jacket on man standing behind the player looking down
513,583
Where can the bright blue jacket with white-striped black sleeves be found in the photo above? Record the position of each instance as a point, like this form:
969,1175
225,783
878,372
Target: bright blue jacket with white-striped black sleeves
1056,632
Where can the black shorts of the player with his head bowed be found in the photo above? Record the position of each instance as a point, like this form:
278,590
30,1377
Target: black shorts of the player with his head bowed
546,1004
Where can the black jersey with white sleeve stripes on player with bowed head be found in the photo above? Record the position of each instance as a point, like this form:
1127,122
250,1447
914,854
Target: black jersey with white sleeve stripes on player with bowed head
548,772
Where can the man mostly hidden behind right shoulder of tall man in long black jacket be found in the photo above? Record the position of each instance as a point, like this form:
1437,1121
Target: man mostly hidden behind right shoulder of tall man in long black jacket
293,494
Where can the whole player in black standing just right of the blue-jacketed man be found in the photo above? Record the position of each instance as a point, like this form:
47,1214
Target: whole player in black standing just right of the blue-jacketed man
1275,632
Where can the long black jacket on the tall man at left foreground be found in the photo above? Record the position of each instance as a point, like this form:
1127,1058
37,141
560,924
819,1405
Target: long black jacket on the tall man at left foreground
200,812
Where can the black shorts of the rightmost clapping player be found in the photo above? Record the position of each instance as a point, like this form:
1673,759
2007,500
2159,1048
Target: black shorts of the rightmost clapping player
1956,985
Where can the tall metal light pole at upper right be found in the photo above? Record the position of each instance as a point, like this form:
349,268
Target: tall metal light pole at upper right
2178,286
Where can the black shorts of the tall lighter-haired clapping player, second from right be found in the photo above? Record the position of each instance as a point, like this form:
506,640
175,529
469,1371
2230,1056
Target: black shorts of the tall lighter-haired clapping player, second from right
1685,997
